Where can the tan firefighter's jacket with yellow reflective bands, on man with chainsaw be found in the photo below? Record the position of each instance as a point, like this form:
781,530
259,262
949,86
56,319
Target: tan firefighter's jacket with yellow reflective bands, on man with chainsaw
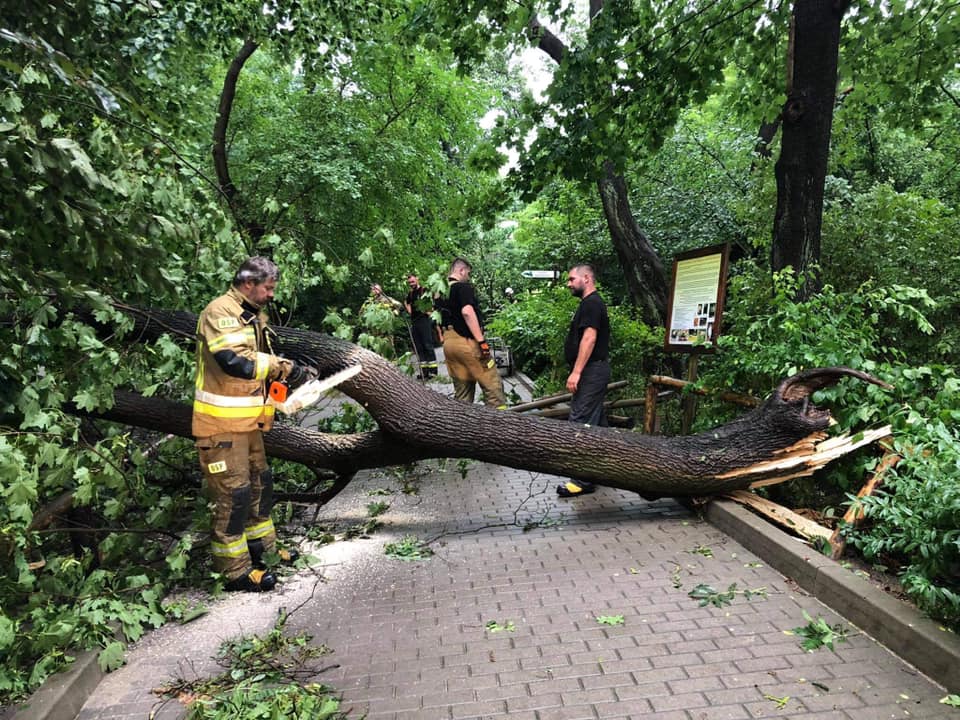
234,364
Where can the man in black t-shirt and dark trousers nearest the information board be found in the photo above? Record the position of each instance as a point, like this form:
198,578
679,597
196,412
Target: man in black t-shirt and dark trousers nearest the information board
586,350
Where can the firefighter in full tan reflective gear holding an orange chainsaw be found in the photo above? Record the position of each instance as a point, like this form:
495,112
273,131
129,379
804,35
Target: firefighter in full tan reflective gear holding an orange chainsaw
235,364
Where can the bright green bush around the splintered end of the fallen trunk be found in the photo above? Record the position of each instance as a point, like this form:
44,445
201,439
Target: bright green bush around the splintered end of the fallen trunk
912,522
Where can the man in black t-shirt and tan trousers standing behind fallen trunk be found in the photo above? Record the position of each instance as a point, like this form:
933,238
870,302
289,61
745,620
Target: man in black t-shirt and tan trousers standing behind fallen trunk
465,348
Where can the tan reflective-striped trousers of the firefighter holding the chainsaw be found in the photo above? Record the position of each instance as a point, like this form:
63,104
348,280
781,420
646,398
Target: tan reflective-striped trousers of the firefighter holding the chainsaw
239,484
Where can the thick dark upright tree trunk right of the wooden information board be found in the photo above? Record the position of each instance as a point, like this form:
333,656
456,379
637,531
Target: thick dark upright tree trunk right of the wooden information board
807,118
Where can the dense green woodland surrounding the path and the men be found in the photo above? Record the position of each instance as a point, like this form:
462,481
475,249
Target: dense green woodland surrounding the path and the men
146,148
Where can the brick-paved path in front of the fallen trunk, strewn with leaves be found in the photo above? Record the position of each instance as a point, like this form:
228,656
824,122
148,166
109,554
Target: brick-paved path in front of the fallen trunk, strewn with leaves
411,638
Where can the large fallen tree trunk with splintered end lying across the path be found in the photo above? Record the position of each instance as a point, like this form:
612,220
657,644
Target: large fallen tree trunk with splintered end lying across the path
777,439
